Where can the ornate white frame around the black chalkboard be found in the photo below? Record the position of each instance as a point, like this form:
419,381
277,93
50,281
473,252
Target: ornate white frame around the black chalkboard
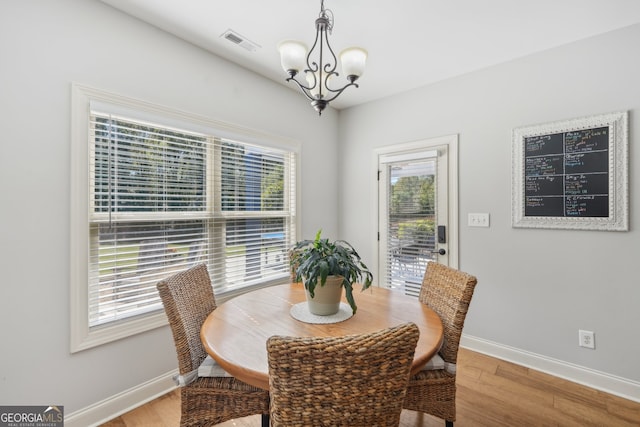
618,218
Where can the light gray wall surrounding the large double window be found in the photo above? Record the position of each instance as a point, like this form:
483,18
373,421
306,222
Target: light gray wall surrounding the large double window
44,46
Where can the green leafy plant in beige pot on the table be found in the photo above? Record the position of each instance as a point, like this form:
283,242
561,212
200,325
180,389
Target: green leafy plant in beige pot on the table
322,262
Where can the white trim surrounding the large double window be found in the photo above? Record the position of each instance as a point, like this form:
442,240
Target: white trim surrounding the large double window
83,337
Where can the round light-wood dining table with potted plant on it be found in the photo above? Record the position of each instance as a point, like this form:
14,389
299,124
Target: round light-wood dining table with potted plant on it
235,333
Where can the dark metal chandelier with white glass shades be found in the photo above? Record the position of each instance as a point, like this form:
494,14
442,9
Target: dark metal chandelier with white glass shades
320,63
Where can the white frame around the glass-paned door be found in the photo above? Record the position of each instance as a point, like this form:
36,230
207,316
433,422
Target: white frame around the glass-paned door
451,142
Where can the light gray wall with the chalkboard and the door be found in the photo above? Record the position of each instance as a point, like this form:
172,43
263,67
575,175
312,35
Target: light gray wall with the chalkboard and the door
536,287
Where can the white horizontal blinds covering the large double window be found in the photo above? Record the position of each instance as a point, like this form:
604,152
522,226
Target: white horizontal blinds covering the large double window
162,199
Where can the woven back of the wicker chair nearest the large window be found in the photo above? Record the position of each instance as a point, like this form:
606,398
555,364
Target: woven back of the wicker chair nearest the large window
188,299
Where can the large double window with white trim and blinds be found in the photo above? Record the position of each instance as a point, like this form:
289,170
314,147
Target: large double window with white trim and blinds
153,193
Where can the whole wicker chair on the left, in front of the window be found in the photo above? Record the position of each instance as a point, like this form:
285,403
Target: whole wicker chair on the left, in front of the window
211,397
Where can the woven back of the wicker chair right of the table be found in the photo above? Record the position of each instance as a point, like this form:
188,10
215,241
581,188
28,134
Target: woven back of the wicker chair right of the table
448,292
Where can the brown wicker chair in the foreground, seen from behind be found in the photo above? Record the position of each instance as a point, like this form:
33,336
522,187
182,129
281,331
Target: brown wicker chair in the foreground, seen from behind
355,380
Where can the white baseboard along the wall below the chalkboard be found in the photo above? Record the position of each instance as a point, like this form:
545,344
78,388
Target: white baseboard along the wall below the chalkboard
598,380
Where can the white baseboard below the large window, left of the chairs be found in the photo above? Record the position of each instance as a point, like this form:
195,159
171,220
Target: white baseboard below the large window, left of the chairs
123,402
